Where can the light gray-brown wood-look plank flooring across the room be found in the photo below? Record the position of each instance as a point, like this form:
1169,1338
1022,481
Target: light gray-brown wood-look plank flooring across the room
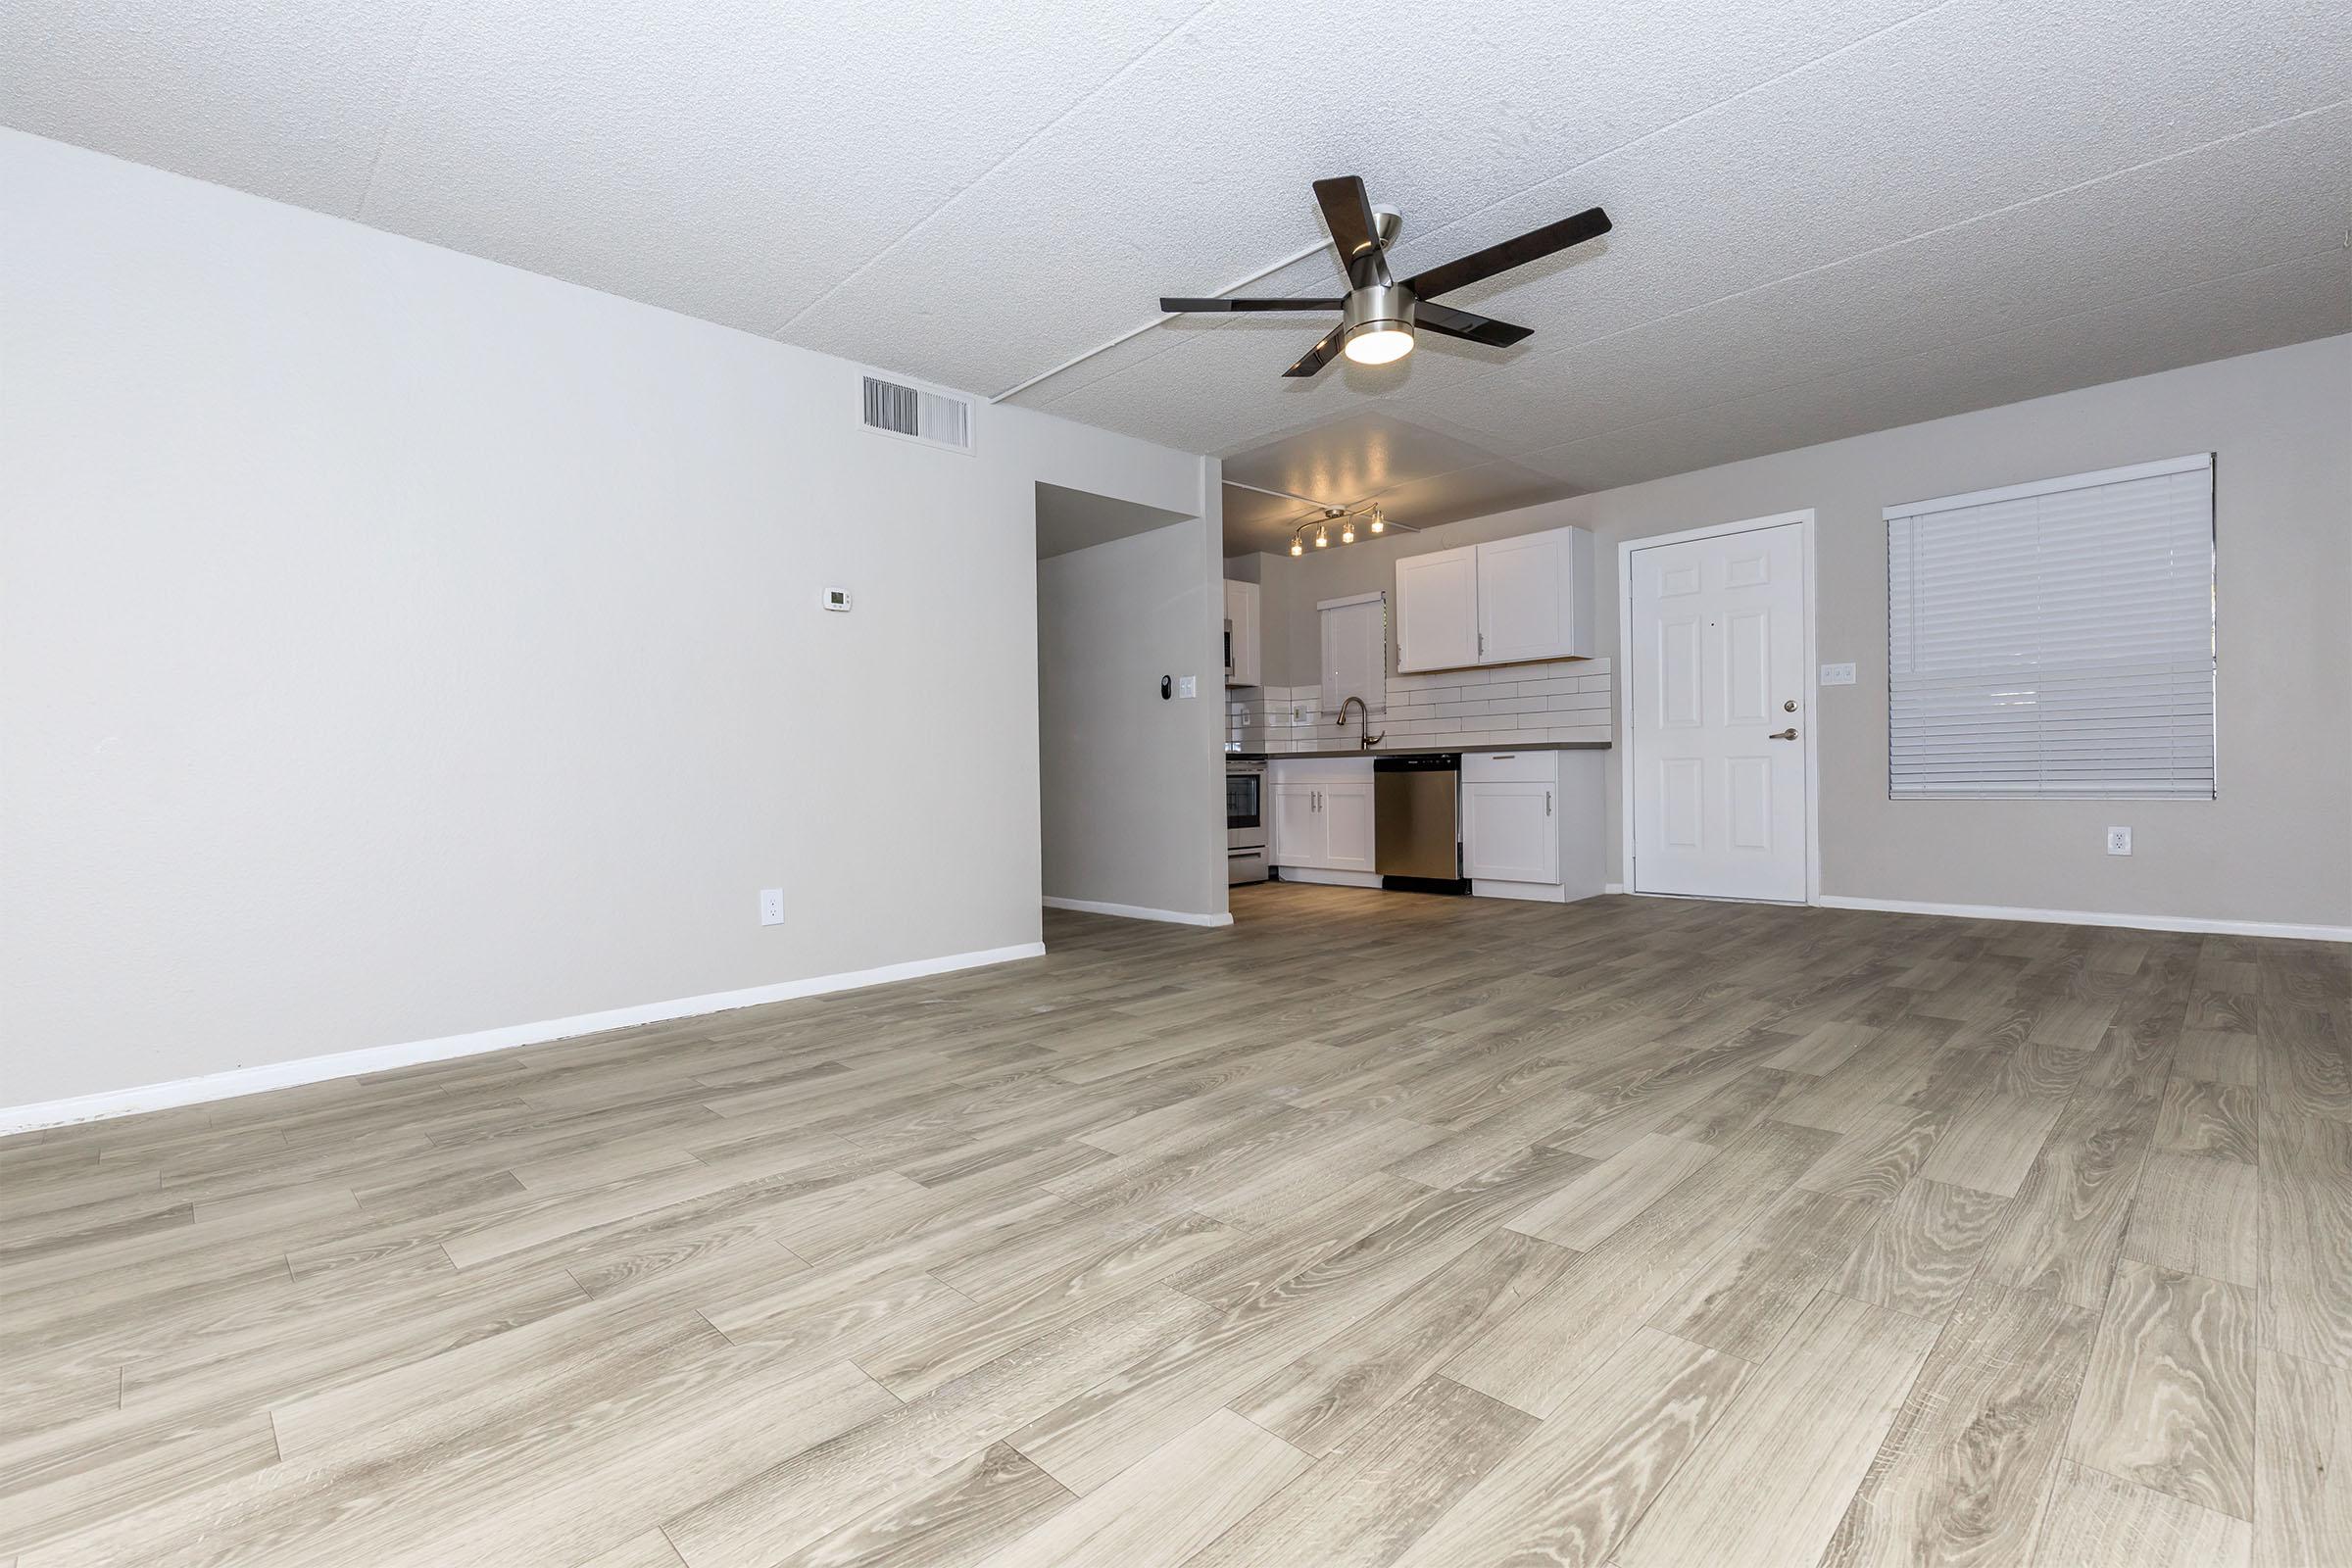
1370,1231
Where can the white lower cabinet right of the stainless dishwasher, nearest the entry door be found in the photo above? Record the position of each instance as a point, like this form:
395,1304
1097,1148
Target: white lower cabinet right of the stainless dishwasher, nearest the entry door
1532,824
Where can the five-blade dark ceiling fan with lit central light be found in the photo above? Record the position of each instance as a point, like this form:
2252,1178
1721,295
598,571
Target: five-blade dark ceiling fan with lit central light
1382,314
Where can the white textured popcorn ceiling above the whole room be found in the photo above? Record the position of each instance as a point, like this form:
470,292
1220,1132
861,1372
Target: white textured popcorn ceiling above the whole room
1833,215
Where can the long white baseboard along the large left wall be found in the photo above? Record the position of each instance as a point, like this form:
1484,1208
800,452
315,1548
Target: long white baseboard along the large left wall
382,1059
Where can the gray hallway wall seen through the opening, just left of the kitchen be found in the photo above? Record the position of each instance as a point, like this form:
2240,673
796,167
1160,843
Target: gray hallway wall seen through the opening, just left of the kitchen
1121,770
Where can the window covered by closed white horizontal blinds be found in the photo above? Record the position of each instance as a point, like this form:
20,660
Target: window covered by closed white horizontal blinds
2054,641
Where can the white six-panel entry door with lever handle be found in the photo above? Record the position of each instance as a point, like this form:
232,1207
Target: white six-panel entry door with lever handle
1716,713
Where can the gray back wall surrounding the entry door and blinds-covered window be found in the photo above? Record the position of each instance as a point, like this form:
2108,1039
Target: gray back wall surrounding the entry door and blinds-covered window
2276,847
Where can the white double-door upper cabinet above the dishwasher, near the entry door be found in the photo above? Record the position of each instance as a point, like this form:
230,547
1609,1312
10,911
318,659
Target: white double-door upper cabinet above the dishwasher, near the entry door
1499,603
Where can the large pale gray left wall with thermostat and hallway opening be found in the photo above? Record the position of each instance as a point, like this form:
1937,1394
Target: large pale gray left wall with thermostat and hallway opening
401,645
